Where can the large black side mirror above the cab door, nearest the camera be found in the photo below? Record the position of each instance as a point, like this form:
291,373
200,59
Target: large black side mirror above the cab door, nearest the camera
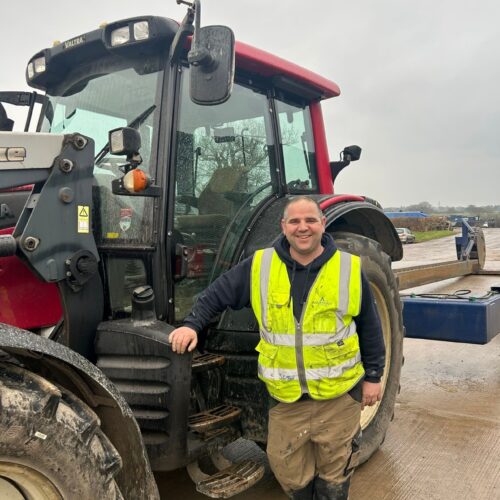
212,65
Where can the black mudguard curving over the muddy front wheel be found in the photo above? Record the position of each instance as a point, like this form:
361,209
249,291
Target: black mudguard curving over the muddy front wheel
65,367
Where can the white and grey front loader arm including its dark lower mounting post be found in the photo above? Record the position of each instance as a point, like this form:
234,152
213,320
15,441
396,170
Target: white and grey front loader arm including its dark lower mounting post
54,232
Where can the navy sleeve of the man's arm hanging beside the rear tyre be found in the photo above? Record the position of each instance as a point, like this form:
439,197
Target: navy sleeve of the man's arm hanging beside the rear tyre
371,339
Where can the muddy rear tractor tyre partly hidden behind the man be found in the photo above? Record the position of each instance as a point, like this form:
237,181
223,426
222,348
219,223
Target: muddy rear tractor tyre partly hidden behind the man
376,266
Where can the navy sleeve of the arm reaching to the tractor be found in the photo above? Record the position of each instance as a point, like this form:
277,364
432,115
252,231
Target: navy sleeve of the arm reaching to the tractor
231,289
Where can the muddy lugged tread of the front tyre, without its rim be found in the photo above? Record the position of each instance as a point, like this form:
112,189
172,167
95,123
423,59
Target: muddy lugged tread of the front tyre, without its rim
35,406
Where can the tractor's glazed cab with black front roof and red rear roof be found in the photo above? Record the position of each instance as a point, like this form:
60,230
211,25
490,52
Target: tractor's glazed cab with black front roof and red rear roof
212,164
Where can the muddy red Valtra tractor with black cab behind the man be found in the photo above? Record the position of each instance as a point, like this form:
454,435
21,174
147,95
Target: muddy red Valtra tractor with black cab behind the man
164,154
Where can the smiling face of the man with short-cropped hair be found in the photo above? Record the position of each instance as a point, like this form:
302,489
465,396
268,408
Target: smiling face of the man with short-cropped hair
303,227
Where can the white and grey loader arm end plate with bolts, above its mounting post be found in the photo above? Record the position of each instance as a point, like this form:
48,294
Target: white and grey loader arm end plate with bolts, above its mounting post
56,221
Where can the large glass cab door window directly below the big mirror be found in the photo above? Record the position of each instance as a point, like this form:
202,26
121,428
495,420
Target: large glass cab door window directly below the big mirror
224,165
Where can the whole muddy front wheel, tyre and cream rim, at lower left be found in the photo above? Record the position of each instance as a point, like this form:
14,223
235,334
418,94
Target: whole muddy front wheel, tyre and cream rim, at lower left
51,445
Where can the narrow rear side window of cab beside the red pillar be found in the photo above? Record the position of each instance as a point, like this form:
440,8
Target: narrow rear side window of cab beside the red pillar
297,146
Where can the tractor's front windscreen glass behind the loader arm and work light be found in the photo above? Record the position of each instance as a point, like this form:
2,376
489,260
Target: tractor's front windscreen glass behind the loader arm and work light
93,105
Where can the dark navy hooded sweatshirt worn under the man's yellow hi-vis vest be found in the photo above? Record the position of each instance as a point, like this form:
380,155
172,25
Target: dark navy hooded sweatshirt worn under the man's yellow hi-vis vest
232,289
